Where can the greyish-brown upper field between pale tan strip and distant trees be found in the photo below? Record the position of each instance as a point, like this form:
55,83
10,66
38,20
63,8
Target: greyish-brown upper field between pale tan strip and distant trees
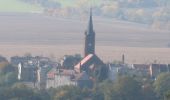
40,29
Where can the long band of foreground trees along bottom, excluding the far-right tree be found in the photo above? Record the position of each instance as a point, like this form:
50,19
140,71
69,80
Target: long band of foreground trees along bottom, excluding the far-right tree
123,88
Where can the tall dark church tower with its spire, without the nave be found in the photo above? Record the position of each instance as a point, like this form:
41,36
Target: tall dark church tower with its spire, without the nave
89,38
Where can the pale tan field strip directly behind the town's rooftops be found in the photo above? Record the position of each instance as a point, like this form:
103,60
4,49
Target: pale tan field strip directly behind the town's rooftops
106,53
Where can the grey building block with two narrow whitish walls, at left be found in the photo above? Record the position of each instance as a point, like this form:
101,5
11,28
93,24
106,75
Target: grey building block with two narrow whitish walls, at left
33,69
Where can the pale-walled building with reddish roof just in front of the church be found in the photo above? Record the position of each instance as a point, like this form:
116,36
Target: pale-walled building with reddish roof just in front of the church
62,77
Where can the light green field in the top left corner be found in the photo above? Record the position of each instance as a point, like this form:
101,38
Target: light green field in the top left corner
18,6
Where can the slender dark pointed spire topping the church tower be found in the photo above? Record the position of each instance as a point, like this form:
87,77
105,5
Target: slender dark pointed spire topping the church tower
90,24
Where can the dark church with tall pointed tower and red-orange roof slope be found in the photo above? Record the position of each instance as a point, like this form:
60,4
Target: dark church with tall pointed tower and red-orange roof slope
90,61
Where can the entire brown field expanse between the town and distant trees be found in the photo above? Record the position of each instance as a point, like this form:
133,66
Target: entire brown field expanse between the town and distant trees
44,35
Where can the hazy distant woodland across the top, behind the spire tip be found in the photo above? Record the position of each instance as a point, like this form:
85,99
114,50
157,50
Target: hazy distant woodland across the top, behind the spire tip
153,12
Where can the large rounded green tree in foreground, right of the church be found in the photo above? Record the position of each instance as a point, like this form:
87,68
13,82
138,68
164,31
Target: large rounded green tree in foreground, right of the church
127,88
